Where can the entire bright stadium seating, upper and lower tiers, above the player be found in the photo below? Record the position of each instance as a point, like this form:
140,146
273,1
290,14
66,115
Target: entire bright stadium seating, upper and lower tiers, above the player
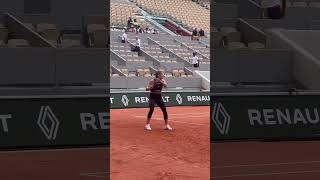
161,51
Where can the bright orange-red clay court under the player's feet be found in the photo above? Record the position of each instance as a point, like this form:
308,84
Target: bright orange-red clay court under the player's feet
183,153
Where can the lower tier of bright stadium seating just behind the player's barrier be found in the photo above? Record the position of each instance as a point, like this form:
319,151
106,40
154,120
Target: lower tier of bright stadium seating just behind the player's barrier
155,55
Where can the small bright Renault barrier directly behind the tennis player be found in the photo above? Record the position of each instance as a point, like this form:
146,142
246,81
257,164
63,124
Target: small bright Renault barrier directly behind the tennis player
140,99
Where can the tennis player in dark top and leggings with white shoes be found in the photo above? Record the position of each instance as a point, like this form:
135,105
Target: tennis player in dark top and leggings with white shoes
155,87
